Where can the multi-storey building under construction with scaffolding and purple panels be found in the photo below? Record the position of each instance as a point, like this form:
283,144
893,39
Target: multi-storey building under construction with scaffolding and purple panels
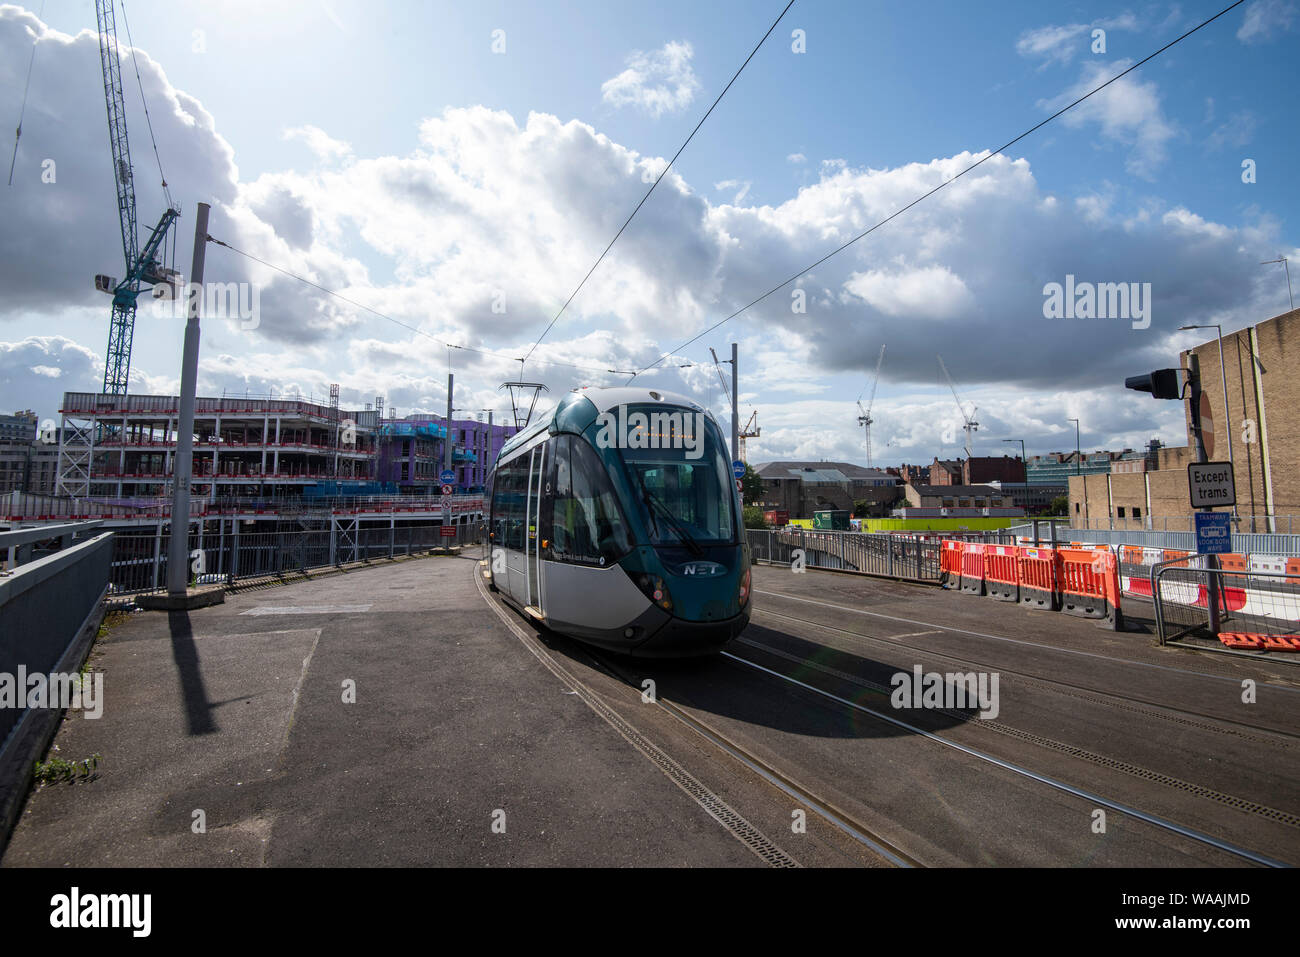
276,449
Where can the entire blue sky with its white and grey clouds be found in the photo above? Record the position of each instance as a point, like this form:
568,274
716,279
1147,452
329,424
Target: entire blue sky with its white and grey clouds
807,148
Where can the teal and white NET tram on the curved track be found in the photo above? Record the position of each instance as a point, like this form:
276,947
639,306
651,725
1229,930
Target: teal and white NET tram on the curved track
616,521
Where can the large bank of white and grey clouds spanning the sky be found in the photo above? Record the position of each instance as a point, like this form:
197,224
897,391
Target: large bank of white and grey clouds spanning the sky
487,203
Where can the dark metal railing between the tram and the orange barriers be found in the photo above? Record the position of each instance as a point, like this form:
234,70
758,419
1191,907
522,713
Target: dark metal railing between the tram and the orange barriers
894,556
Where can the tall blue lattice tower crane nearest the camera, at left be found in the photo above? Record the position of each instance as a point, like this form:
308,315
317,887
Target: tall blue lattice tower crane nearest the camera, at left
144,266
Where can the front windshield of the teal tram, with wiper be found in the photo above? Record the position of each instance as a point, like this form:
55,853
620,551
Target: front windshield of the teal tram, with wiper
686,486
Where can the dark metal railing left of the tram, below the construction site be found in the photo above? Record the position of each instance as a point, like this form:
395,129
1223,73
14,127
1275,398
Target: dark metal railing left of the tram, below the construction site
141,560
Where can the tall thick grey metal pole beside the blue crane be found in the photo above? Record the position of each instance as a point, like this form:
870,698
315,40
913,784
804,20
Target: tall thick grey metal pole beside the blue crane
184,467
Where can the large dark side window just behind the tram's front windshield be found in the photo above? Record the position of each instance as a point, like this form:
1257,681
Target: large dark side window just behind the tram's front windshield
588,527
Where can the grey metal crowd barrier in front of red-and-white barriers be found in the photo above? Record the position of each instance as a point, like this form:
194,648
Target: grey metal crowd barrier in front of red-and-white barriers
1250,603
